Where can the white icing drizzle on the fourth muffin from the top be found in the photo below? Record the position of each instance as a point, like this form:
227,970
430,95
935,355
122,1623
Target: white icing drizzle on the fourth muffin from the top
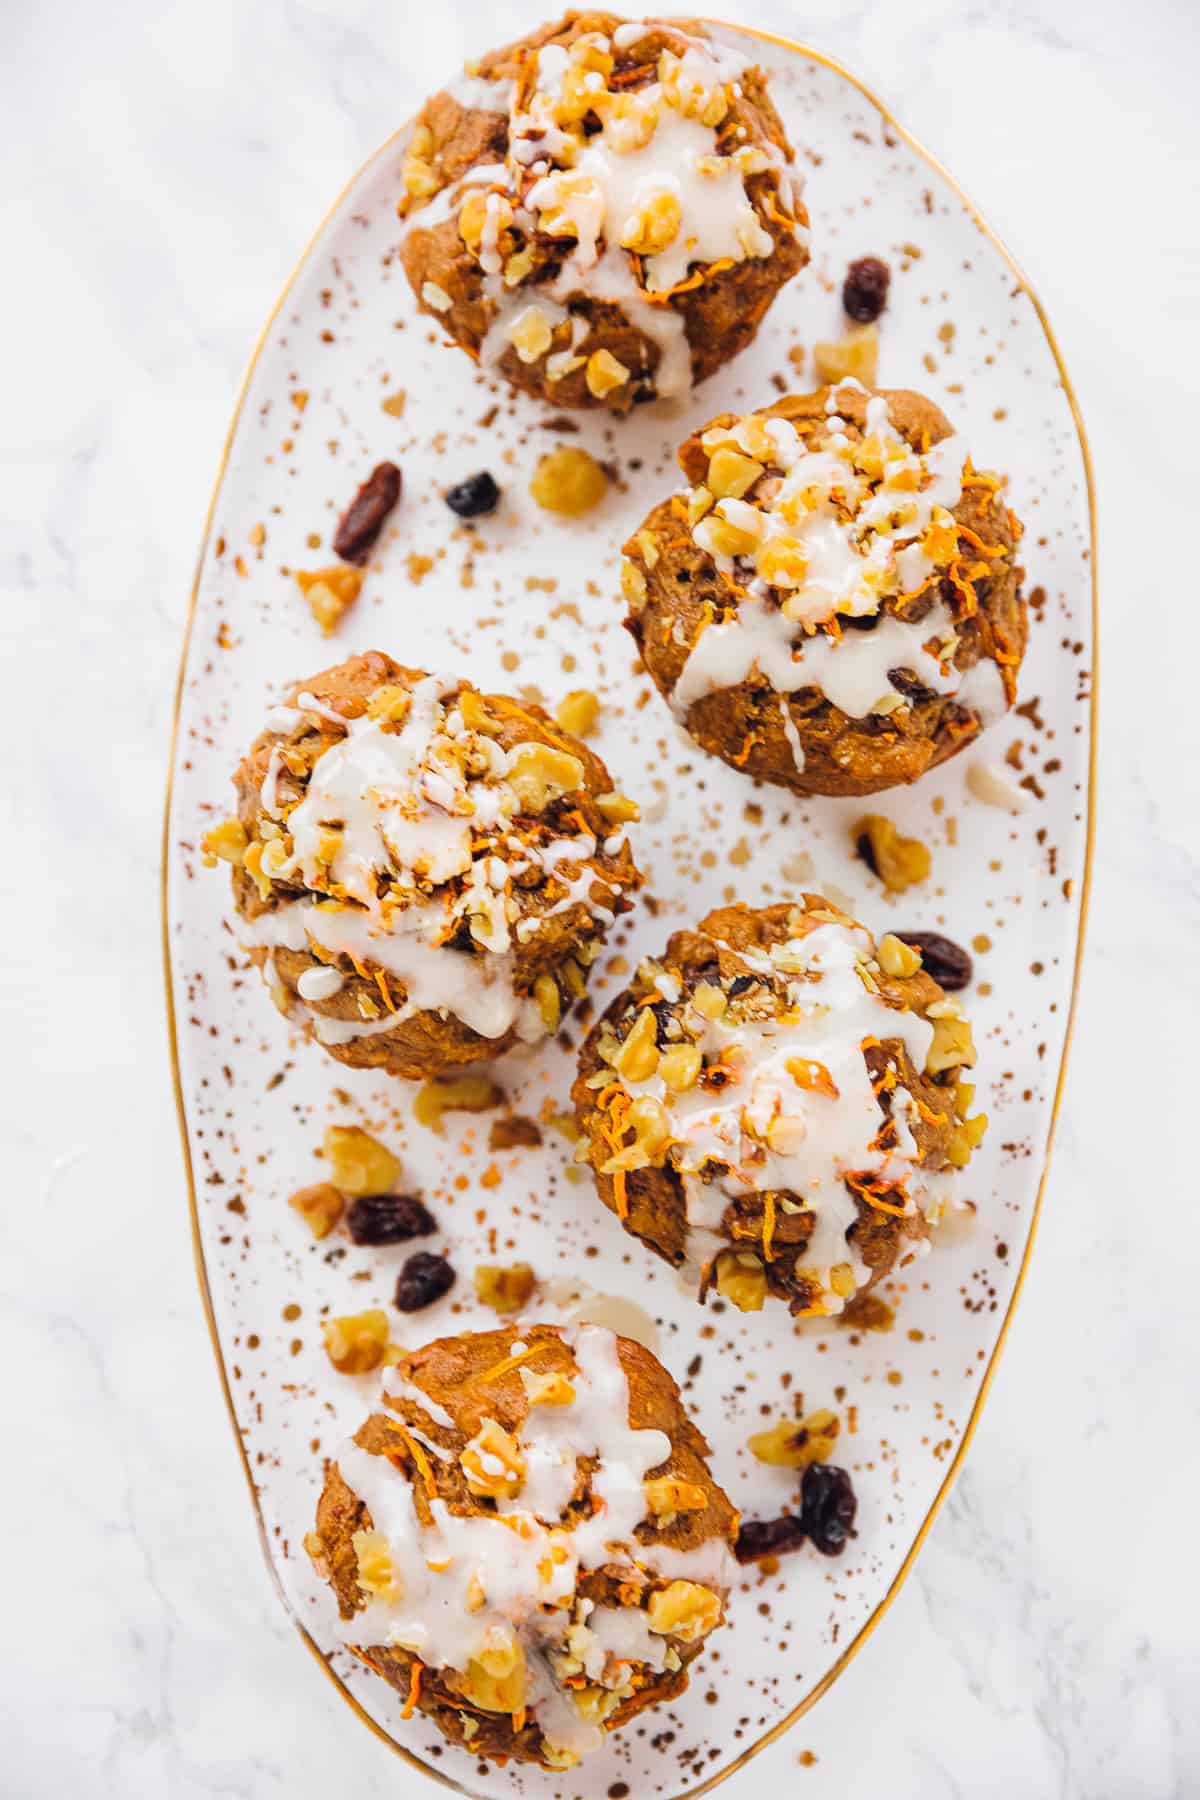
766,1133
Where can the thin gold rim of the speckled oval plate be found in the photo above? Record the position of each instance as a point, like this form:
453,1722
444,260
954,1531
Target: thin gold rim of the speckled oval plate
202,1275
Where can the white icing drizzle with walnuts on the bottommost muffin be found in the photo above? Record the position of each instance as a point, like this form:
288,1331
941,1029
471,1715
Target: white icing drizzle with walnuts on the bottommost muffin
528,1570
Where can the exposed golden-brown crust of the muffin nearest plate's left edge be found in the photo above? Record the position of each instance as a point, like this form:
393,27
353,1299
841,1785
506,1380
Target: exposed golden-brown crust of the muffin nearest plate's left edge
555,917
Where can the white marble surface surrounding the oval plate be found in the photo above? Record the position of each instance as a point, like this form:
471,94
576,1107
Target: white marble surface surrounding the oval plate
166,165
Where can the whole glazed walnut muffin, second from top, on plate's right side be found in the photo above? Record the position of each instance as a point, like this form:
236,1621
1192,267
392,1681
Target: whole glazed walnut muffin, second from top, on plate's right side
834,602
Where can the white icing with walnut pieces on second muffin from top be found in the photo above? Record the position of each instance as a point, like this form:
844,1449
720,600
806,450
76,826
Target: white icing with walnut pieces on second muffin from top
839,528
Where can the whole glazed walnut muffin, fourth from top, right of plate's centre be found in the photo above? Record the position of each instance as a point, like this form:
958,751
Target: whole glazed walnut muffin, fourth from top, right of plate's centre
778,1104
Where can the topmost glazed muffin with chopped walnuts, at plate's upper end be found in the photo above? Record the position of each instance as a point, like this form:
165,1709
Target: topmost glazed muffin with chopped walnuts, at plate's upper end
604,211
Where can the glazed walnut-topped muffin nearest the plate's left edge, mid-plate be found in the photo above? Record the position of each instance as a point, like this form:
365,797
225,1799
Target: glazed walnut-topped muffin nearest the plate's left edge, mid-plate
422,872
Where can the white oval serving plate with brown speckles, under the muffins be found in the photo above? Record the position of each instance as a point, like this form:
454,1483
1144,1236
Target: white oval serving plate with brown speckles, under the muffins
532,606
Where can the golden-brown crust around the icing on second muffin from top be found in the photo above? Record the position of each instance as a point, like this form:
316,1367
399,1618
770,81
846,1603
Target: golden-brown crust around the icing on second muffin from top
677,589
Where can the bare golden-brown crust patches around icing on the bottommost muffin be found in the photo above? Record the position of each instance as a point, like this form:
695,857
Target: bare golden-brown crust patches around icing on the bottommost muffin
476,1380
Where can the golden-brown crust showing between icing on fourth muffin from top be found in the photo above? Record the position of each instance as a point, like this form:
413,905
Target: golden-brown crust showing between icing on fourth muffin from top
764,1227
